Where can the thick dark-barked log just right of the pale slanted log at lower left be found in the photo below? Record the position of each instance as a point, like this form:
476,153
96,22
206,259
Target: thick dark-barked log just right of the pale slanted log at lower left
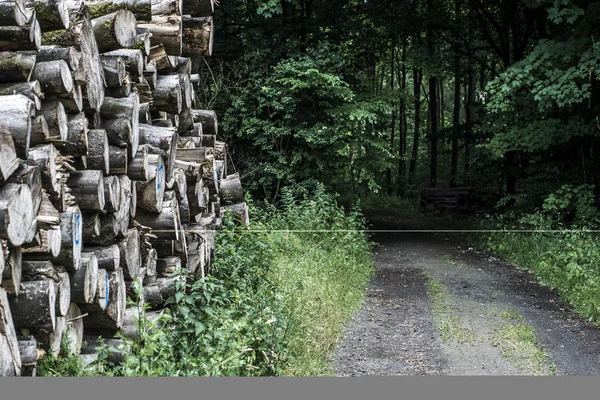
35,305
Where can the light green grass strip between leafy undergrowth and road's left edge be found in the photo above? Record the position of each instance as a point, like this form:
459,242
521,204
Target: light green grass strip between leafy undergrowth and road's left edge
321,286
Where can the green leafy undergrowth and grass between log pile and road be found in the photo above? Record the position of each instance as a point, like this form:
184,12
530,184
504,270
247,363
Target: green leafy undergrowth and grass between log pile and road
274,302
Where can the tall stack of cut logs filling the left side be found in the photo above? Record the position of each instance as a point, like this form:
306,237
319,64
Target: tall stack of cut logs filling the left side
109,175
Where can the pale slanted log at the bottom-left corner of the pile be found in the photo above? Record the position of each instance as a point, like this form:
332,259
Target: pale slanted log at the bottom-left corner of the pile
10,360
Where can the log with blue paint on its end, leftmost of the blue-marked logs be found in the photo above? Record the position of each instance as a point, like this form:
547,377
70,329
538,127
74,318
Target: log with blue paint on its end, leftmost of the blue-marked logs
71,227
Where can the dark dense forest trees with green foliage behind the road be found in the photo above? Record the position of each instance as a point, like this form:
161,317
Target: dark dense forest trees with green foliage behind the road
388,97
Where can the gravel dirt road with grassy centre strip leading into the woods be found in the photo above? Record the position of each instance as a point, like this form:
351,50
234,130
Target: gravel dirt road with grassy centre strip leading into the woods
436,307
